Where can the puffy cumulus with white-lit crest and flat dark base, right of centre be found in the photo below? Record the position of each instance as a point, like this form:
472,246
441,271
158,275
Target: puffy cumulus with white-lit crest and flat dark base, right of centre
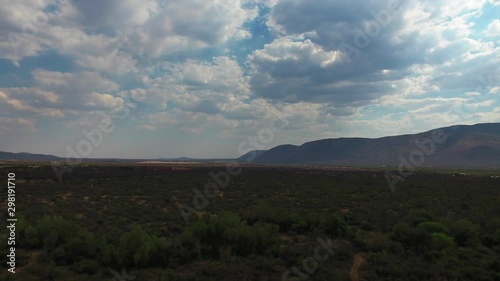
303,71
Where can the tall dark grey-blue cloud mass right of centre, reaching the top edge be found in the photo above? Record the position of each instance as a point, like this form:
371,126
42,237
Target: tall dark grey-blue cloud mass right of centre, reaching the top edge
348,32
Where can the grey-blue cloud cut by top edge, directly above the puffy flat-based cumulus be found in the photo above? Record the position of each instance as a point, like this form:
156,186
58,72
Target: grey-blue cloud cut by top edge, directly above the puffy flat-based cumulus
335,22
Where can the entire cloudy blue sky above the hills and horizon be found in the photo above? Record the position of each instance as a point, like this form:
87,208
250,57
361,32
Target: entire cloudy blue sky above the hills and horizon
202,78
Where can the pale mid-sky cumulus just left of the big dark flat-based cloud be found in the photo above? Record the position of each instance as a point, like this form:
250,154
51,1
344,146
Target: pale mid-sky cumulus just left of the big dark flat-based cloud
193,85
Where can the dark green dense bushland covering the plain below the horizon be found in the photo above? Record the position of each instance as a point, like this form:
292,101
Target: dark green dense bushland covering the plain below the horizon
104,220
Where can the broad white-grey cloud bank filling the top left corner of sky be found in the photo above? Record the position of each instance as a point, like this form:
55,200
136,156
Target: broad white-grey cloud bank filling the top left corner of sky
106,36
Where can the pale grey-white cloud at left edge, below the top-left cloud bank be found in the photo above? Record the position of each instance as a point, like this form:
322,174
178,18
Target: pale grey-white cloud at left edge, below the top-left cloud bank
57,95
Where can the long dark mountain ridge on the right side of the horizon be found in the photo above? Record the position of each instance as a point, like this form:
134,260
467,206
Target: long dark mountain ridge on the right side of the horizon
465,146
